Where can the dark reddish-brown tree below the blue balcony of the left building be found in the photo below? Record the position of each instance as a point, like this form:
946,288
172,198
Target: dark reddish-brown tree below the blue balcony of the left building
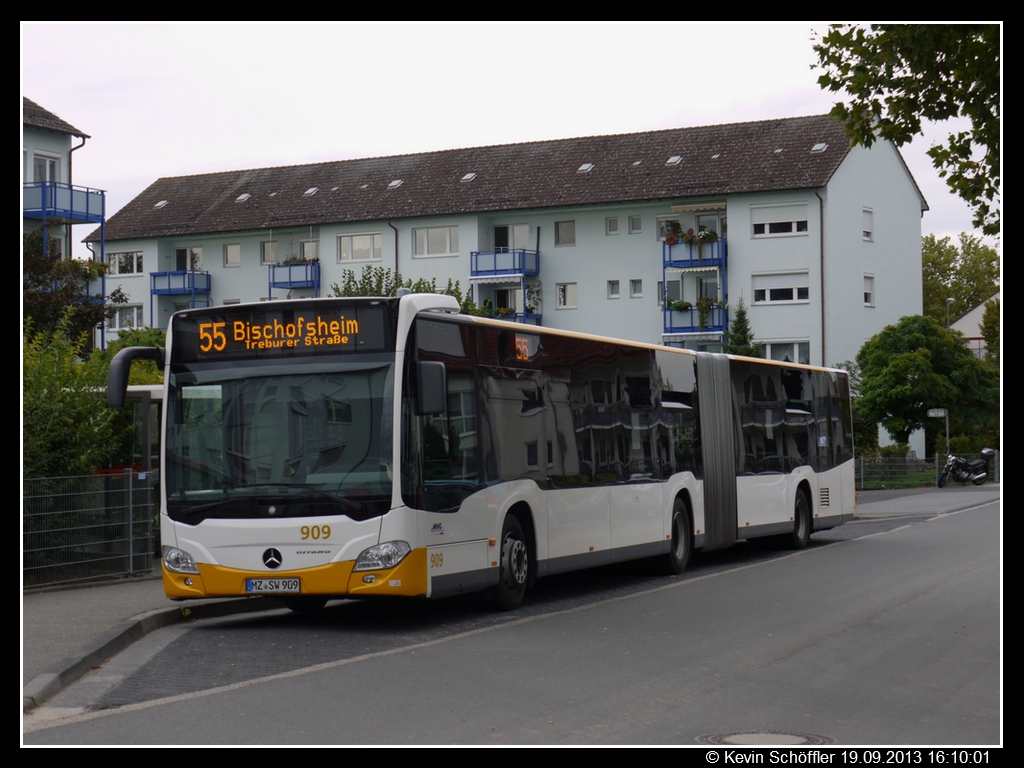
56,290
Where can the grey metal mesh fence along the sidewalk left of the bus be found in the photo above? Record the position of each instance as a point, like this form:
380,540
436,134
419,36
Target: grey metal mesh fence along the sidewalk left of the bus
80,529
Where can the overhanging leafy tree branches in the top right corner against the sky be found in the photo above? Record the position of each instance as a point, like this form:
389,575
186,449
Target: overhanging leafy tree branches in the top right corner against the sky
899,75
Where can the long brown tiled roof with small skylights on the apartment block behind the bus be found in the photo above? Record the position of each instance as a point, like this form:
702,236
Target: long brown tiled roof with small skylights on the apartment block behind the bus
712,161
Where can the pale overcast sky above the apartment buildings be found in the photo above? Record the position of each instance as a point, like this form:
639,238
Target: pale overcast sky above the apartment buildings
179,100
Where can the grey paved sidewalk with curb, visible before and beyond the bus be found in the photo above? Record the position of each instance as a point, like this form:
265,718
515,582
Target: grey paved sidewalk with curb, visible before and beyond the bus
67,632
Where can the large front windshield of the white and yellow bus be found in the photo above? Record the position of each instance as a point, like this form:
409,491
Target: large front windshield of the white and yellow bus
264,440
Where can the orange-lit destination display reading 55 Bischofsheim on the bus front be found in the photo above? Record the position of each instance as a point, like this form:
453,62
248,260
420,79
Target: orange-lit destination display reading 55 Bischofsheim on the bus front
283,330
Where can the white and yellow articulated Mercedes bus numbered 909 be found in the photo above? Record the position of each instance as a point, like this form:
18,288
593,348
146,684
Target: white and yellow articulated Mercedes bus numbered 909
362,448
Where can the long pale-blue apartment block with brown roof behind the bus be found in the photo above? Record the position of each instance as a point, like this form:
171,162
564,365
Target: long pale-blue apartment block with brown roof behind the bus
822,242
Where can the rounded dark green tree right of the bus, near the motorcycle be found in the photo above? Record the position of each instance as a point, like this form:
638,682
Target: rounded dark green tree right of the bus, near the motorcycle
917,365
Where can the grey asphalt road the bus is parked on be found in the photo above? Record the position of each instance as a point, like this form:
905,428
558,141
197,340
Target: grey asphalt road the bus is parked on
883,632
